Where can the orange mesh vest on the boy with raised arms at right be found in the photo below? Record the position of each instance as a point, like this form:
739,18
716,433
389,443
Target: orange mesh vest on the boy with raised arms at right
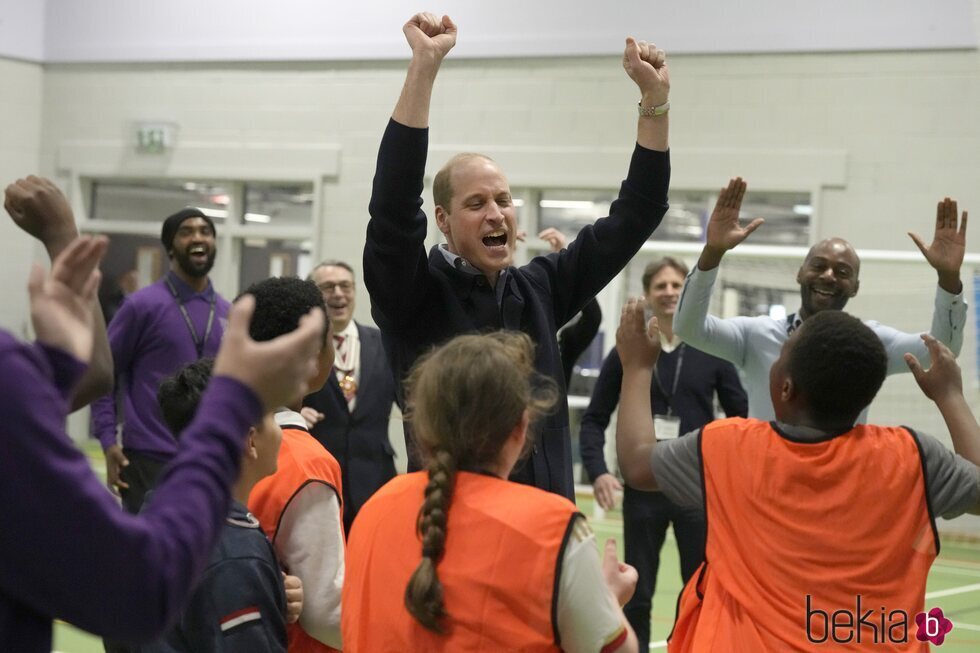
797,531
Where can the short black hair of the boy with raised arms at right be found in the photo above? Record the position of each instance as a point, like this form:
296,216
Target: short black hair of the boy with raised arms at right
838,363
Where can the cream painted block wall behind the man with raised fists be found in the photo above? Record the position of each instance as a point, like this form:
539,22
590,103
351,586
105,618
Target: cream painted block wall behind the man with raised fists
879,136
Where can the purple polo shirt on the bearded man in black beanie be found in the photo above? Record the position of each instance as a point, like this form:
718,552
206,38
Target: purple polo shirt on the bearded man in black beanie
150,340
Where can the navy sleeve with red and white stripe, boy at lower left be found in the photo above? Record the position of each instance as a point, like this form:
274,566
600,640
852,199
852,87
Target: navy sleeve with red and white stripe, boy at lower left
240,606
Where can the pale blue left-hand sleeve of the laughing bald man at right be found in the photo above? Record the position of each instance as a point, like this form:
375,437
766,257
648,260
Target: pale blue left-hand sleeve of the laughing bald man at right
725,339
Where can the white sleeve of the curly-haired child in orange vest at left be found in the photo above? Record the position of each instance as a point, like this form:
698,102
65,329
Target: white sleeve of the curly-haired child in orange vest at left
310,545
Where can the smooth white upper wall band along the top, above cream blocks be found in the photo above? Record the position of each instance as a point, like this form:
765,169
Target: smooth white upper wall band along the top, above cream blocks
231,30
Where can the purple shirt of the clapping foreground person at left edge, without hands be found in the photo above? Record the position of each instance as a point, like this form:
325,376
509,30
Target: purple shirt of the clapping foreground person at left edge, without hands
68,551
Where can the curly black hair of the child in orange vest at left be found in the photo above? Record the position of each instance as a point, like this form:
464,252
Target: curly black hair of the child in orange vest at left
280,302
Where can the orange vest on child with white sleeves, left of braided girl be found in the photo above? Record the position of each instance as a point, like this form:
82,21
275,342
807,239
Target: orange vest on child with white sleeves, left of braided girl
302,460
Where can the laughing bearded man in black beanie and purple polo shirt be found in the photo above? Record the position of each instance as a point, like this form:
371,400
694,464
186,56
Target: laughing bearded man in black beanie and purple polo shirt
157,330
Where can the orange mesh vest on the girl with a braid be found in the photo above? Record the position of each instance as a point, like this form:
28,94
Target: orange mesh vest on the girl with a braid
499,572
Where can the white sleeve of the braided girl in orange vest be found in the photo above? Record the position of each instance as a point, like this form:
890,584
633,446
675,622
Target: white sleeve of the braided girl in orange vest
589,618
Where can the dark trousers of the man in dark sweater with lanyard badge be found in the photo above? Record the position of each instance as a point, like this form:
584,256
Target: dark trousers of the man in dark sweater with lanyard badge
646,516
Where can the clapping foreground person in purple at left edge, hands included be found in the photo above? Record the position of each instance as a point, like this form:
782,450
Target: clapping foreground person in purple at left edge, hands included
171,541
